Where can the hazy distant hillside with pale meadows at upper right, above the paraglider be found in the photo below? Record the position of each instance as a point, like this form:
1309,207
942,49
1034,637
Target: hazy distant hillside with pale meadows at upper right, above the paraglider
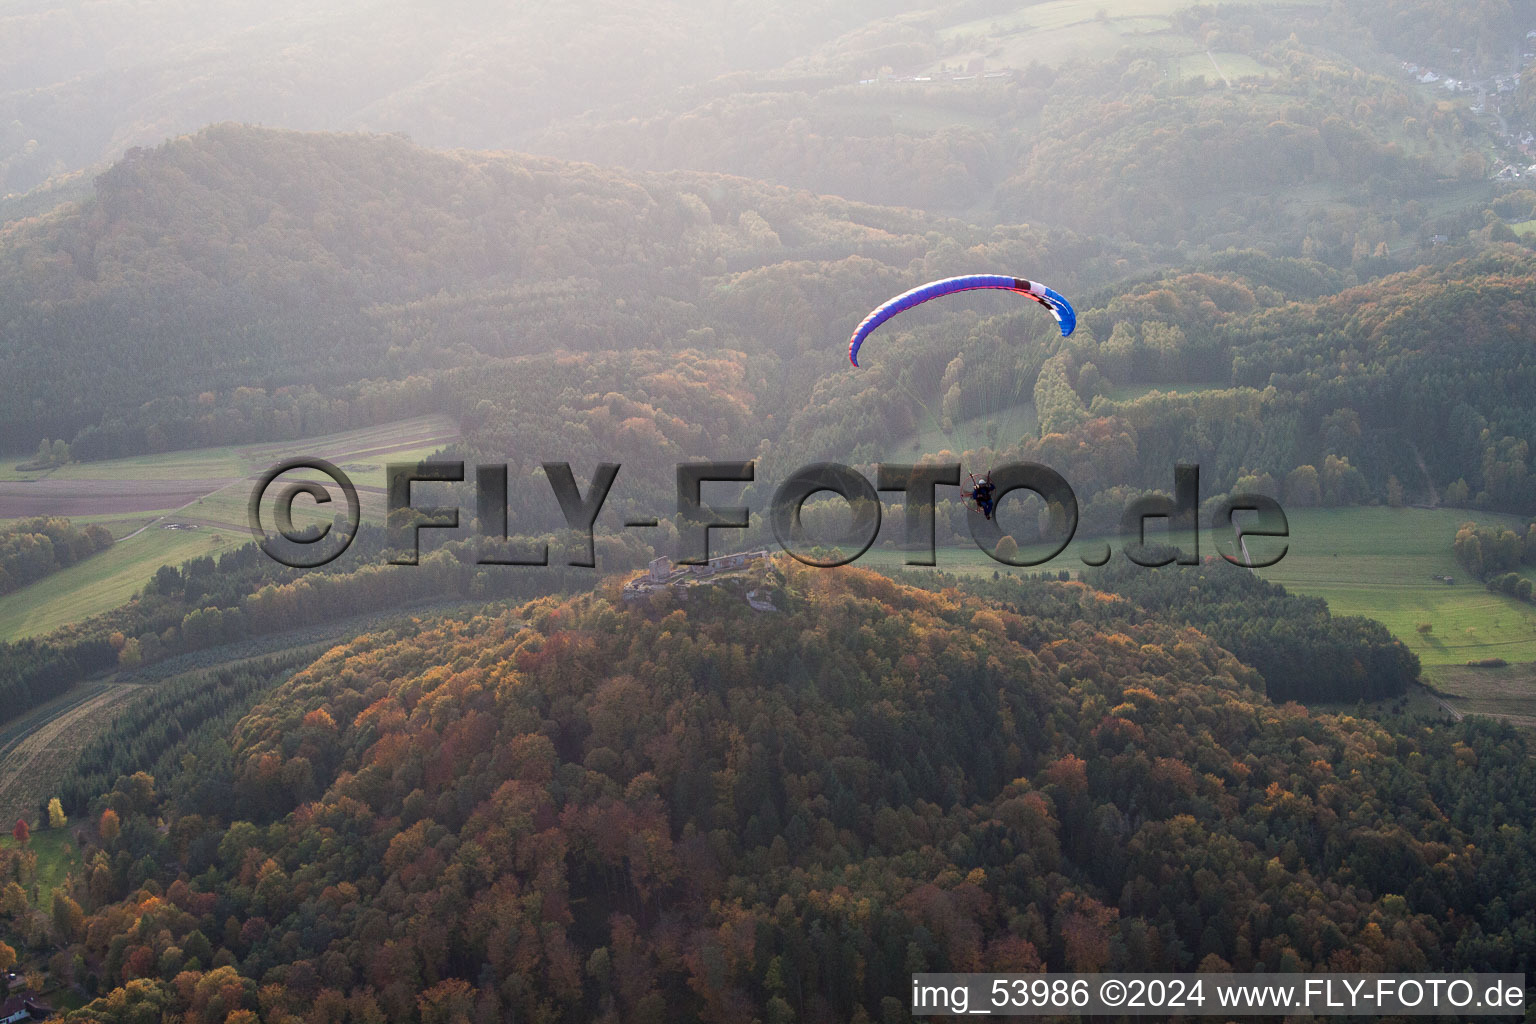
1167,124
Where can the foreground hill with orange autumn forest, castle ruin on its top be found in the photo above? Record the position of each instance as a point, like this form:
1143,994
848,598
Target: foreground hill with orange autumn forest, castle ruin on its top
594,811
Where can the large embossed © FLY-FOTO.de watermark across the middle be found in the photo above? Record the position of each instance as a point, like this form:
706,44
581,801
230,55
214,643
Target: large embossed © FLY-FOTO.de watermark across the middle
698,520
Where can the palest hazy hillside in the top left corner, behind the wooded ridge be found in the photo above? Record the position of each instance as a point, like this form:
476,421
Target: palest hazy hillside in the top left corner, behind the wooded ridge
84,82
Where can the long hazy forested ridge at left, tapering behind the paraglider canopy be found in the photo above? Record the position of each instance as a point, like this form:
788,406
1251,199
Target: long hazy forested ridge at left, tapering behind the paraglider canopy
250,257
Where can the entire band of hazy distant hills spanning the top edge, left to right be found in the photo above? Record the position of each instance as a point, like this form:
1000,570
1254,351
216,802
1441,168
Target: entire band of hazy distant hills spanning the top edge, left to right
884,104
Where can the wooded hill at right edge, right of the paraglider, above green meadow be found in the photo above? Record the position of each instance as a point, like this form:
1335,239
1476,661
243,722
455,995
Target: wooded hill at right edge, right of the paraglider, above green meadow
1414,388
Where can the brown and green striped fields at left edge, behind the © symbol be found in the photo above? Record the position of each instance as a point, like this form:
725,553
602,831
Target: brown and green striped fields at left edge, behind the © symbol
173,507
